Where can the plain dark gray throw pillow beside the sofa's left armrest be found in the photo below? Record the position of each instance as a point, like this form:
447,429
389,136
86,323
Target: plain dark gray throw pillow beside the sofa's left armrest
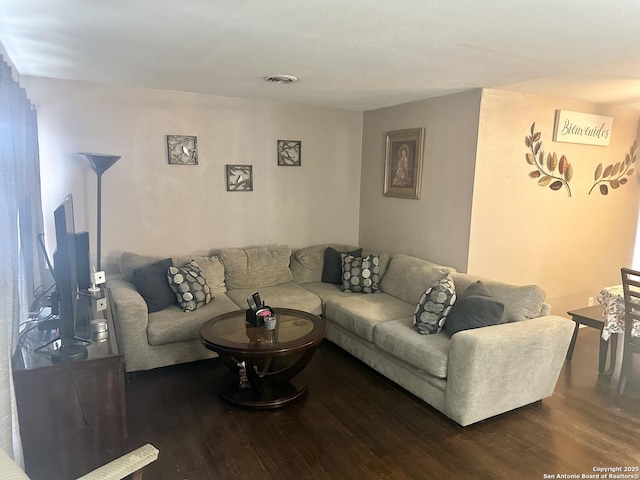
151,283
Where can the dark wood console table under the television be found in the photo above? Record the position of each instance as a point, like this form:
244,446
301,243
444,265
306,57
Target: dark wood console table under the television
72,414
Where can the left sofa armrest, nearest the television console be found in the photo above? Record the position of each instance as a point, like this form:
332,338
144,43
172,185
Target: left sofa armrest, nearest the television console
131,320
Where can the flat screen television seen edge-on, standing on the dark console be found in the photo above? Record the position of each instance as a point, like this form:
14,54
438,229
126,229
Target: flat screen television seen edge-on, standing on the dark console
65,271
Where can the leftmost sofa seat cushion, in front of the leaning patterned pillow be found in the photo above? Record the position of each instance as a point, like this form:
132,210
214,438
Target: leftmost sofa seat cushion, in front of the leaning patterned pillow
172,325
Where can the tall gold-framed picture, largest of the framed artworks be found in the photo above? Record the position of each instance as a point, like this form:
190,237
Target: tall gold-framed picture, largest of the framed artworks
403,163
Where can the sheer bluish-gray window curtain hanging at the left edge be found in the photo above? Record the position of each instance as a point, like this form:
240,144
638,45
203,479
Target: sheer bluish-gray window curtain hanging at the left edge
21,262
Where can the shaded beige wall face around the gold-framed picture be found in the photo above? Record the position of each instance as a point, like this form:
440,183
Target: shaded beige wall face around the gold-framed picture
437,225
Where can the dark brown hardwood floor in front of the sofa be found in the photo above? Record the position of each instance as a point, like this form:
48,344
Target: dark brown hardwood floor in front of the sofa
355,424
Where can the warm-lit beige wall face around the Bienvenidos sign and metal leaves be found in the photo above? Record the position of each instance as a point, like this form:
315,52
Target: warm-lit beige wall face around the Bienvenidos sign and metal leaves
524,233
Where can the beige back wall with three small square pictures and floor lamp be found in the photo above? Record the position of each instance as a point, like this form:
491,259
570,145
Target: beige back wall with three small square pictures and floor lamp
155,208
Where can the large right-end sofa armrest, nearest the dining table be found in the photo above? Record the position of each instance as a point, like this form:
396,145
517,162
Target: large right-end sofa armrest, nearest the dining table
498,368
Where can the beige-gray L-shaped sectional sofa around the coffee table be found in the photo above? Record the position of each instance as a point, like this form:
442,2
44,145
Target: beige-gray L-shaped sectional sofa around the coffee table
470,376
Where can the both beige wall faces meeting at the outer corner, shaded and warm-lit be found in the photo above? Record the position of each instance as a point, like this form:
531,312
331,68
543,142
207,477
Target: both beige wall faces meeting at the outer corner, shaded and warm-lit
480,211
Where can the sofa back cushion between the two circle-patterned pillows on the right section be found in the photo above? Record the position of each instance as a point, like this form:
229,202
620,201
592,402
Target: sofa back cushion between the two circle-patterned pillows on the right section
408,277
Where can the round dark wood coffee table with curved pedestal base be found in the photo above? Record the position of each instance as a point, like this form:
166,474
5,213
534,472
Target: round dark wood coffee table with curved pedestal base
263,362
